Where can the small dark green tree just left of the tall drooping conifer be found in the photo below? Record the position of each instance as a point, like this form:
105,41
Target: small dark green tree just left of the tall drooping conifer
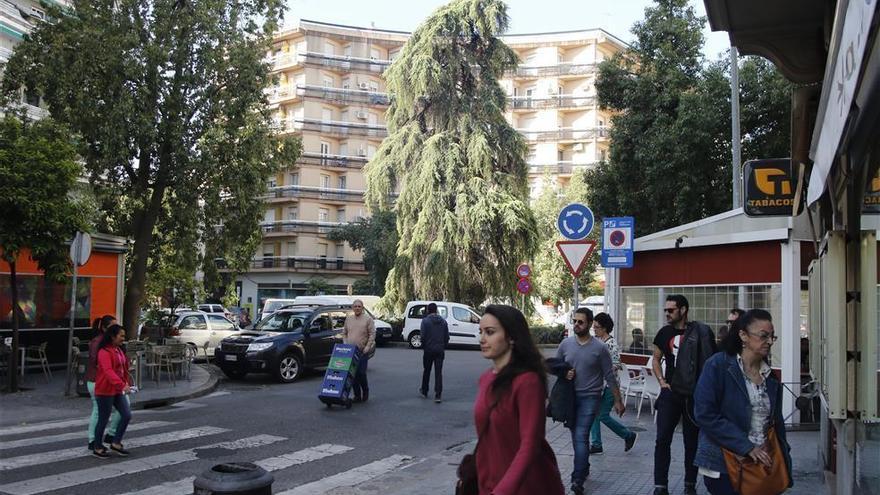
377,238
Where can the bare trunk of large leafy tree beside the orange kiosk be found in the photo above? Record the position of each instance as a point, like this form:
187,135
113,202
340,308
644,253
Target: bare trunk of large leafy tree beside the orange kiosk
143,239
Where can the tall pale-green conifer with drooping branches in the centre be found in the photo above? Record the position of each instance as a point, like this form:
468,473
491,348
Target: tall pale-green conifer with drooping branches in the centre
462,215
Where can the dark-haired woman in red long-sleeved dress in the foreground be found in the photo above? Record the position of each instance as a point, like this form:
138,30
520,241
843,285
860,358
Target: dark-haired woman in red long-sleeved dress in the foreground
513,457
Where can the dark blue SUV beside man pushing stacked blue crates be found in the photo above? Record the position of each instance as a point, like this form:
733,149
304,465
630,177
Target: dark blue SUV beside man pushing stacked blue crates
285,343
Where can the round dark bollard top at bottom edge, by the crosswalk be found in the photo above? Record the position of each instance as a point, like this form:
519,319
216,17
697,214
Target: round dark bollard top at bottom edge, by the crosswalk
234,478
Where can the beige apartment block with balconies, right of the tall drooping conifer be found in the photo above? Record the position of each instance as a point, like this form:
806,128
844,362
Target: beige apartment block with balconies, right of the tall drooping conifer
552,101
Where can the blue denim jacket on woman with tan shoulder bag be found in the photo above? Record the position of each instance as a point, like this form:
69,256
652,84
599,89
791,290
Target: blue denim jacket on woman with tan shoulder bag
723,412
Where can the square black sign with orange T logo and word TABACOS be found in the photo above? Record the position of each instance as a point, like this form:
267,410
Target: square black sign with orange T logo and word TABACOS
769,186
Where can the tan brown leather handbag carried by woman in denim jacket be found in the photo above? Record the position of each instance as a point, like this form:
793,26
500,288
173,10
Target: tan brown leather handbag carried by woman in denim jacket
752,478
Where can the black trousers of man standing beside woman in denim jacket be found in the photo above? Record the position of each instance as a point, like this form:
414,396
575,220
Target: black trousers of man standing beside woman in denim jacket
672,408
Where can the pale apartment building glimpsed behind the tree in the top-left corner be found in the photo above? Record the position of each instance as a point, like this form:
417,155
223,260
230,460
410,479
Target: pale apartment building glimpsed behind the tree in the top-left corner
17,18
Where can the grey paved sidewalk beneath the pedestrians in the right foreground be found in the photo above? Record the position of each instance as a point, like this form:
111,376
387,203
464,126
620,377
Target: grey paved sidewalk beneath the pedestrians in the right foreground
614,472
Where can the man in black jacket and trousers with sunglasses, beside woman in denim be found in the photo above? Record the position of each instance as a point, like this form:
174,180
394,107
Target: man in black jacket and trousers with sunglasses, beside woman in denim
684,346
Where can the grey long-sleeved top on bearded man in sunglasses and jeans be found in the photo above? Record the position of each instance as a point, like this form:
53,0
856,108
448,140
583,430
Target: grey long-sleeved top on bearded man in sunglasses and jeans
591,363
